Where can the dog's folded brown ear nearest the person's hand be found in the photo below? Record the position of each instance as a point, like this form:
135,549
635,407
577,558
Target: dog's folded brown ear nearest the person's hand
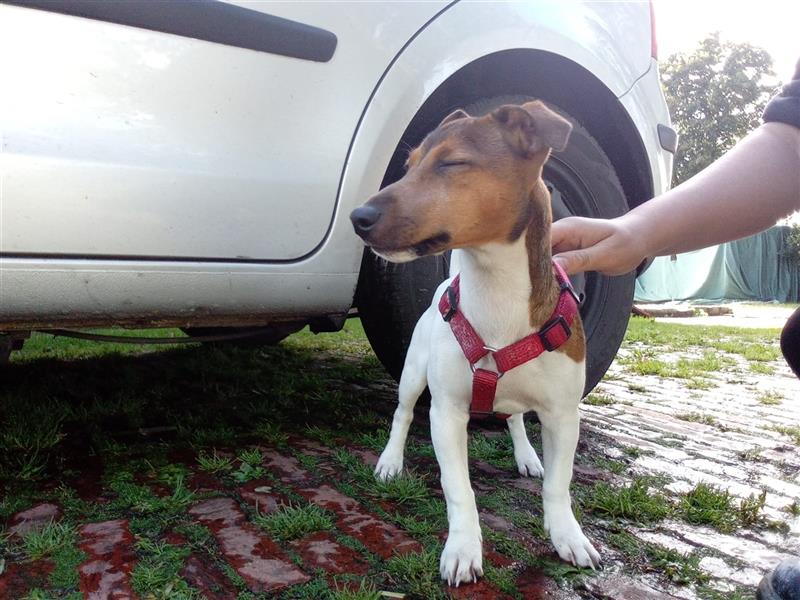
532,127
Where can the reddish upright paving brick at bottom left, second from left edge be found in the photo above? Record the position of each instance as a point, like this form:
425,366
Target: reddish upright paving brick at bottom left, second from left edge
105,574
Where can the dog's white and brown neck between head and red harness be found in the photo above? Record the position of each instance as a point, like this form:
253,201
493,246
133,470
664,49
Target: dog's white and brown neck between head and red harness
508,288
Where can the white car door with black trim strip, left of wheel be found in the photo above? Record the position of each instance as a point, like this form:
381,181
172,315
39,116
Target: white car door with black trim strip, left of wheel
131,131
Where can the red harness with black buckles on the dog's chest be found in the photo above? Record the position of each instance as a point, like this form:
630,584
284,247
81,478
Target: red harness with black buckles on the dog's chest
555,332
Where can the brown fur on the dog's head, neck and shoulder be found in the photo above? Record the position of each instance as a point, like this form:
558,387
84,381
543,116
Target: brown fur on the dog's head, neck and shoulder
462,190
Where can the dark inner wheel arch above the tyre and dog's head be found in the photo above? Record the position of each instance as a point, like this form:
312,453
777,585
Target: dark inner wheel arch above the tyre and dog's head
551,78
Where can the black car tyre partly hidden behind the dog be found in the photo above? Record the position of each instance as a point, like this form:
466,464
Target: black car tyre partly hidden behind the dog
391,297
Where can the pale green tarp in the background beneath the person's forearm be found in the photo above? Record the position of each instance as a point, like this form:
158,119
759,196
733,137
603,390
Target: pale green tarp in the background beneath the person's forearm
753,268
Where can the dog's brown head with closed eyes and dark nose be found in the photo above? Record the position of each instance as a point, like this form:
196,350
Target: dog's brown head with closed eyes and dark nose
469,183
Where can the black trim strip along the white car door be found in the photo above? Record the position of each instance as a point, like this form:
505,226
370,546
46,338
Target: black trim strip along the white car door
209,20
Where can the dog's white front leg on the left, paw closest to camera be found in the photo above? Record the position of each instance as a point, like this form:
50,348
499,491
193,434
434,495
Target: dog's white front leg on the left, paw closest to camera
461,559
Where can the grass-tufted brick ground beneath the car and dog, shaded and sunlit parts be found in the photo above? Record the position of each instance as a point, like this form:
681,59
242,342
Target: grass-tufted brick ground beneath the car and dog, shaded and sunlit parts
246,473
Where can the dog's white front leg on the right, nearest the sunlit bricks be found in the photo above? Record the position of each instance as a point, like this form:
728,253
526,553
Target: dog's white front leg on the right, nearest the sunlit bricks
560,438
